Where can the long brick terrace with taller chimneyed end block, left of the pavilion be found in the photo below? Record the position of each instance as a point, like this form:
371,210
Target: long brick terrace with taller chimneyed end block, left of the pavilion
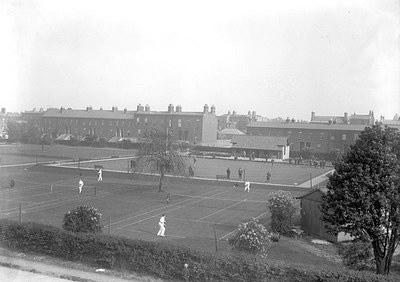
191,127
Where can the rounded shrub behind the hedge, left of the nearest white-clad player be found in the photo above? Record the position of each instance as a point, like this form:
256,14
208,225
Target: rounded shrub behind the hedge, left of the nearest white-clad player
82,219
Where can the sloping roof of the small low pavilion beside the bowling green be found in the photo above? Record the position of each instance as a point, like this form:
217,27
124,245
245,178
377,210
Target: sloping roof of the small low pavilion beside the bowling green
258,142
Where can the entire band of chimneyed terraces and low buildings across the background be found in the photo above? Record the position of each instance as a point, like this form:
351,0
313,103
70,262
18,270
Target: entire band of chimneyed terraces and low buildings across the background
248,135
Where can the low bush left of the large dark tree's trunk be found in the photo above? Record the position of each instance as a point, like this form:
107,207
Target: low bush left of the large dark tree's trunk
357,255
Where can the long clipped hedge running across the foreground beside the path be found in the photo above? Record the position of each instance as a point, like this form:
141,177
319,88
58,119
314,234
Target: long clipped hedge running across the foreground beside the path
163,260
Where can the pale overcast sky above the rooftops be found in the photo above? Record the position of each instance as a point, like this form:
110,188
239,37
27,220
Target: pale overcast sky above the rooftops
278,58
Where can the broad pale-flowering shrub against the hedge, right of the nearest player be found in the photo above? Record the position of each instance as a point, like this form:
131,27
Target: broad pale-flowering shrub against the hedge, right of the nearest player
251,237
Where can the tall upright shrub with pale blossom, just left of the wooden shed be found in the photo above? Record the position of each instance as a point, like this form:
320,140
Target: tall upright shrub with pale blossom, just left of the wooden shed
281,205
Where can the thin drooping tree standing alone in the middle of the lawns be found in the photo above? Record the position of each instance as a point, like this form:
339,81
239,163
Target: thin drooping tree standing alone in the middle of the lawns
157,156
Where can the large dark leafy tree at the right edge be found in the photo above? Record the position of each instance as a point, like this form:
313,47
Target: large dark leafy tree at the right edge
363,197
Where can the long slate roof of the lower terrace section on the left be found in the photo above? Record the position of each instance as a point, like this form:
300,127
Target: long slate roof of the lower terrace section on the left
99,114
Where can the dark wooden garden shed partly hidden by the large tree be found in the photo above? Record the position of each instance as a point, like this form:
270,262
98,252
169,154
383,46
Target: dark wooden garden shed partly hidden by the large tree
311,216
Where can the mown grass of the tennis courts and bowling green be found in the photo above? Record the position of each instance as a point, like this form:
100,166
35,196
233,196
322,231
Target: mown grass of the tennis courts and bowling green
132,208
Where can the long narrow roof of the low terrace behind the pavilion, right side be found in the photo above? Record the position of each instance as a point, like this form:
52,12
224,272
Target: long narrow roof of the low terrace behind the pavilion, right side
303,125
